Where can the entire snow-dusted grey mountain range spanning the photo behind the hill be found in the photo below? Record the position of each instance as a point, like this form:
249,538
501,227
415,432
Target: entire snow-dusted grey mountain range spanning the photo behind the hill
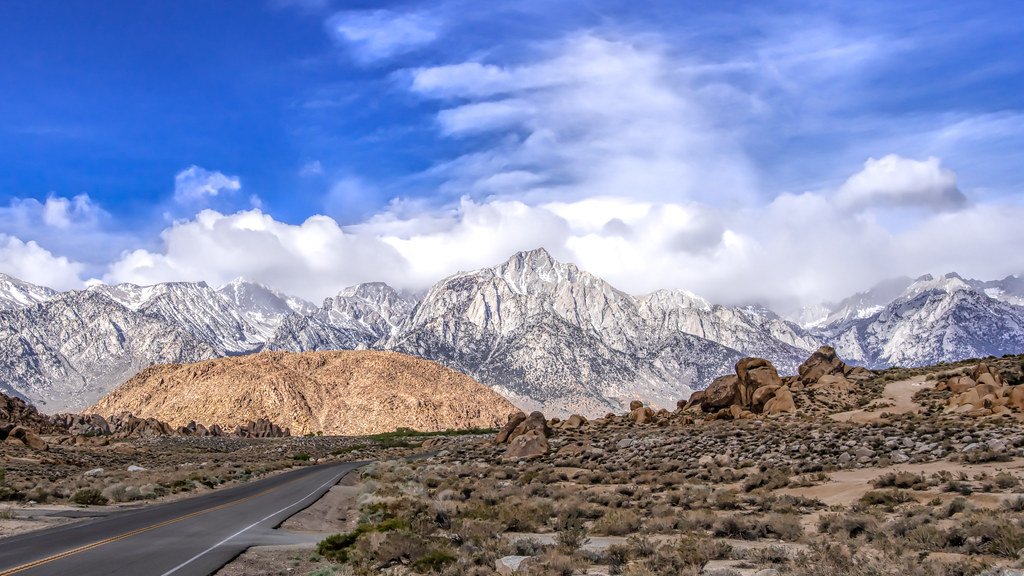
543,334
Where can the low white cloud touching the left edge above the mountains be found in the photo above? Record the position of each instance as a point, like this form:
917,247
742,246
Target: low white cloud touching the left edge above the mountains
31,263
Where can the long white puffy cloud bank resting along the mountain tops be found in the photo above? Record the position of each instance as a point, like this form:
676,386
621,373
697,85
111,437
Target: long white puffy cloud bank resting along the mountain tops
799,249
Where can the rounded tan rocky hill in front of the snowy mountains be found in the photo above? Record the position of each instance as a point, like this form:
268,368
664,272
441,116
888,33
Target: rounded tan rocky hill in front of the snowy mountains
334,393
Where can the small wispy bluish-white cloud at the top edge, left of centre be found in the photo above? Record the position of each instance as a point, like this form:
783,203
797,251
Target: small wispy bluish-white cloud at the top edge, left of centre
376,35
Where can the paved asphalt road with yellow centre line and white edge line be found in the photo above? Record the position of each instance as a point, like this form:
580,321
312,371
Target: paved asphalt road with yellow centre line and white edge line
195,537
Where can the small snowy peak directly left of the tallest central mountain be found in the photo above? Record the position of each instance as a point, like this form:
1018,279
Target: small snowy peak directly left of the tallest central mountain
359,317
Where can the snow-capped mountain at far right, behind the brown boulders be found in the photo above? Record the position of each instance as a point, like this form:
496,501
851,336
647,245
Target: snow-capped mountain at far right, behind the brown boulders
932,320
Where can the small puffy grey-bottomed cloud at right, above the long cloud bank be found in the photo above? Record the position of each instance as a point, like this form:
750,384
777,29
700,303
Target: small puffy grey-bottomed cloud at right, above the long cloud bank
894,181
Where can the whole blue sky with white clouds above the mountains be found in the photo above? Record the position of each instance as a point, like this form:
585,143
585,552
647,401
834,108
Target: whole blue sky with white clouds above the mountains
780,153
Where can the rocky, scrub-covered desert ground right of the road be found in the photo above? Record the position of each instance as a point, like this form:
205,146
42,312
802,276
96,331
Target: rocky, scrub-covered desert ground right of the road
724,485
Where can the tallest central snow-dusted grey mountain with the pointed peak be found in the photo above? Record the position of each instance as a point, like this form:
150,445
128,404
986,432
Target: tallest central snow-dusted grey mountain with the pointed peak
547,335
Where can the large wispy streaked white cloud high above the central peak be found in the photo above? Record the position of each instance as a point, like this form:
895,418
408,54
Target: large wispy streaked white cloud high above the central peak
591,117
